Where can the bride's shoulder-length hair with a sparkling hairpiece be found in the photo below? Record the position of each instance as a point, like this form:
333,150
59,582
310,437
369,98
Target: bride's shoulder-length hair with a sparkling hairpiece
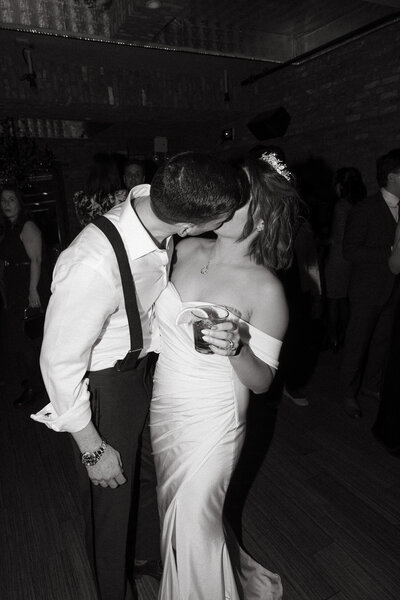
275,200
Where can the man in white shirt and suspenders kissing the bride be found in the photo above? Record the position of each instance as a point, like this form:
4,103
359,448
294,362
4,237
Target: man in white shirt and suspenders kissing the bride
86,333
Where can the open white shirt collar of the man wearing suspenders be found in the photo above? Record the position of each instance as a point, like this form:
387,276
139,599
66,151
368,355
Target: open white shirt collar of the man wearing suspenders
138,241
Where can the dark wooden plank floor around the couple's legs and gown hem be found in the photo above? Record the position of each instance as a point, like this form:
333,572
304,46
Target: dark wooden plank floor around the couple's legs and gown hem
323,511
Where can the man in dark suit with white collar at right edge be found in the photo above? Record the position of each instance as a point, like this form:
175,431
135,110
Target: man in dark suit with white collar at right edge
373,291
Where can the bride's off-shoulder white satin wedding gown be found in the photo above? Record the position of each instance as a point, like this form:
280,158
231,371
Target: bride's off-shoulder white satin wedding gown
197,425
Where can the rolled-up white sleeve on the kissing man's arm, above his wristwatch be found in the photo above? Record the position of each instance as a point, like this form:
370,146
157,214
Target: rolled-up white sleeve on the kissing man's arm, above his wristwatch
83,298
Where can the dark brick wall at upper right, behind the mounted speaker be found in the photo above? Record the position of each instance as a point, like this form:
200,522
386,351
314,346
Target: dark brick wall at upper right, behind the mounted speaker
344,105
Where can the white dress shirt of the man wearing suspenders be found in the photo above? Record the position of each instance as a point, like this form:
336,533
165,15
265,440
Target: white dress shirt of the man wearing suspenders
86,326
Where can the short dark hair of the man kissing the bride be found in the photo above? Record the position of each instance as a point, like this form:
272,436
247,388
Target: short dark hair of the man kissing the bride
194,187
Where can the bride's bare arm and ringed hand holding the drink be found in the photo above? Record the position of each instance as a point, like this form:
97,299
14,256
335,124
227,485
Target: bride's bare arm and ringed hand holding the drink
270,315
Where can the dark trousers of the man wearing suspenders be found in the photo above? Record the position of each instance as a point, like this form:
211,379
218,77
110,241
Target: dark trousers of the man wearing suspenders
121,522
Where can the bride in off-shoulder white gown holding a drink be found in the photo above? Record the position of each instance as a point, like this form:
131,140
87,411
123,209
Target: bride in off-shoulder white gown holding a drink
198,410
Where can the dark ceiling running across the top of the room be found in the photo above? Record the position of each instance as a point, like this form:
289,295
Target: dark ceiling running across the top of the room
270,30
